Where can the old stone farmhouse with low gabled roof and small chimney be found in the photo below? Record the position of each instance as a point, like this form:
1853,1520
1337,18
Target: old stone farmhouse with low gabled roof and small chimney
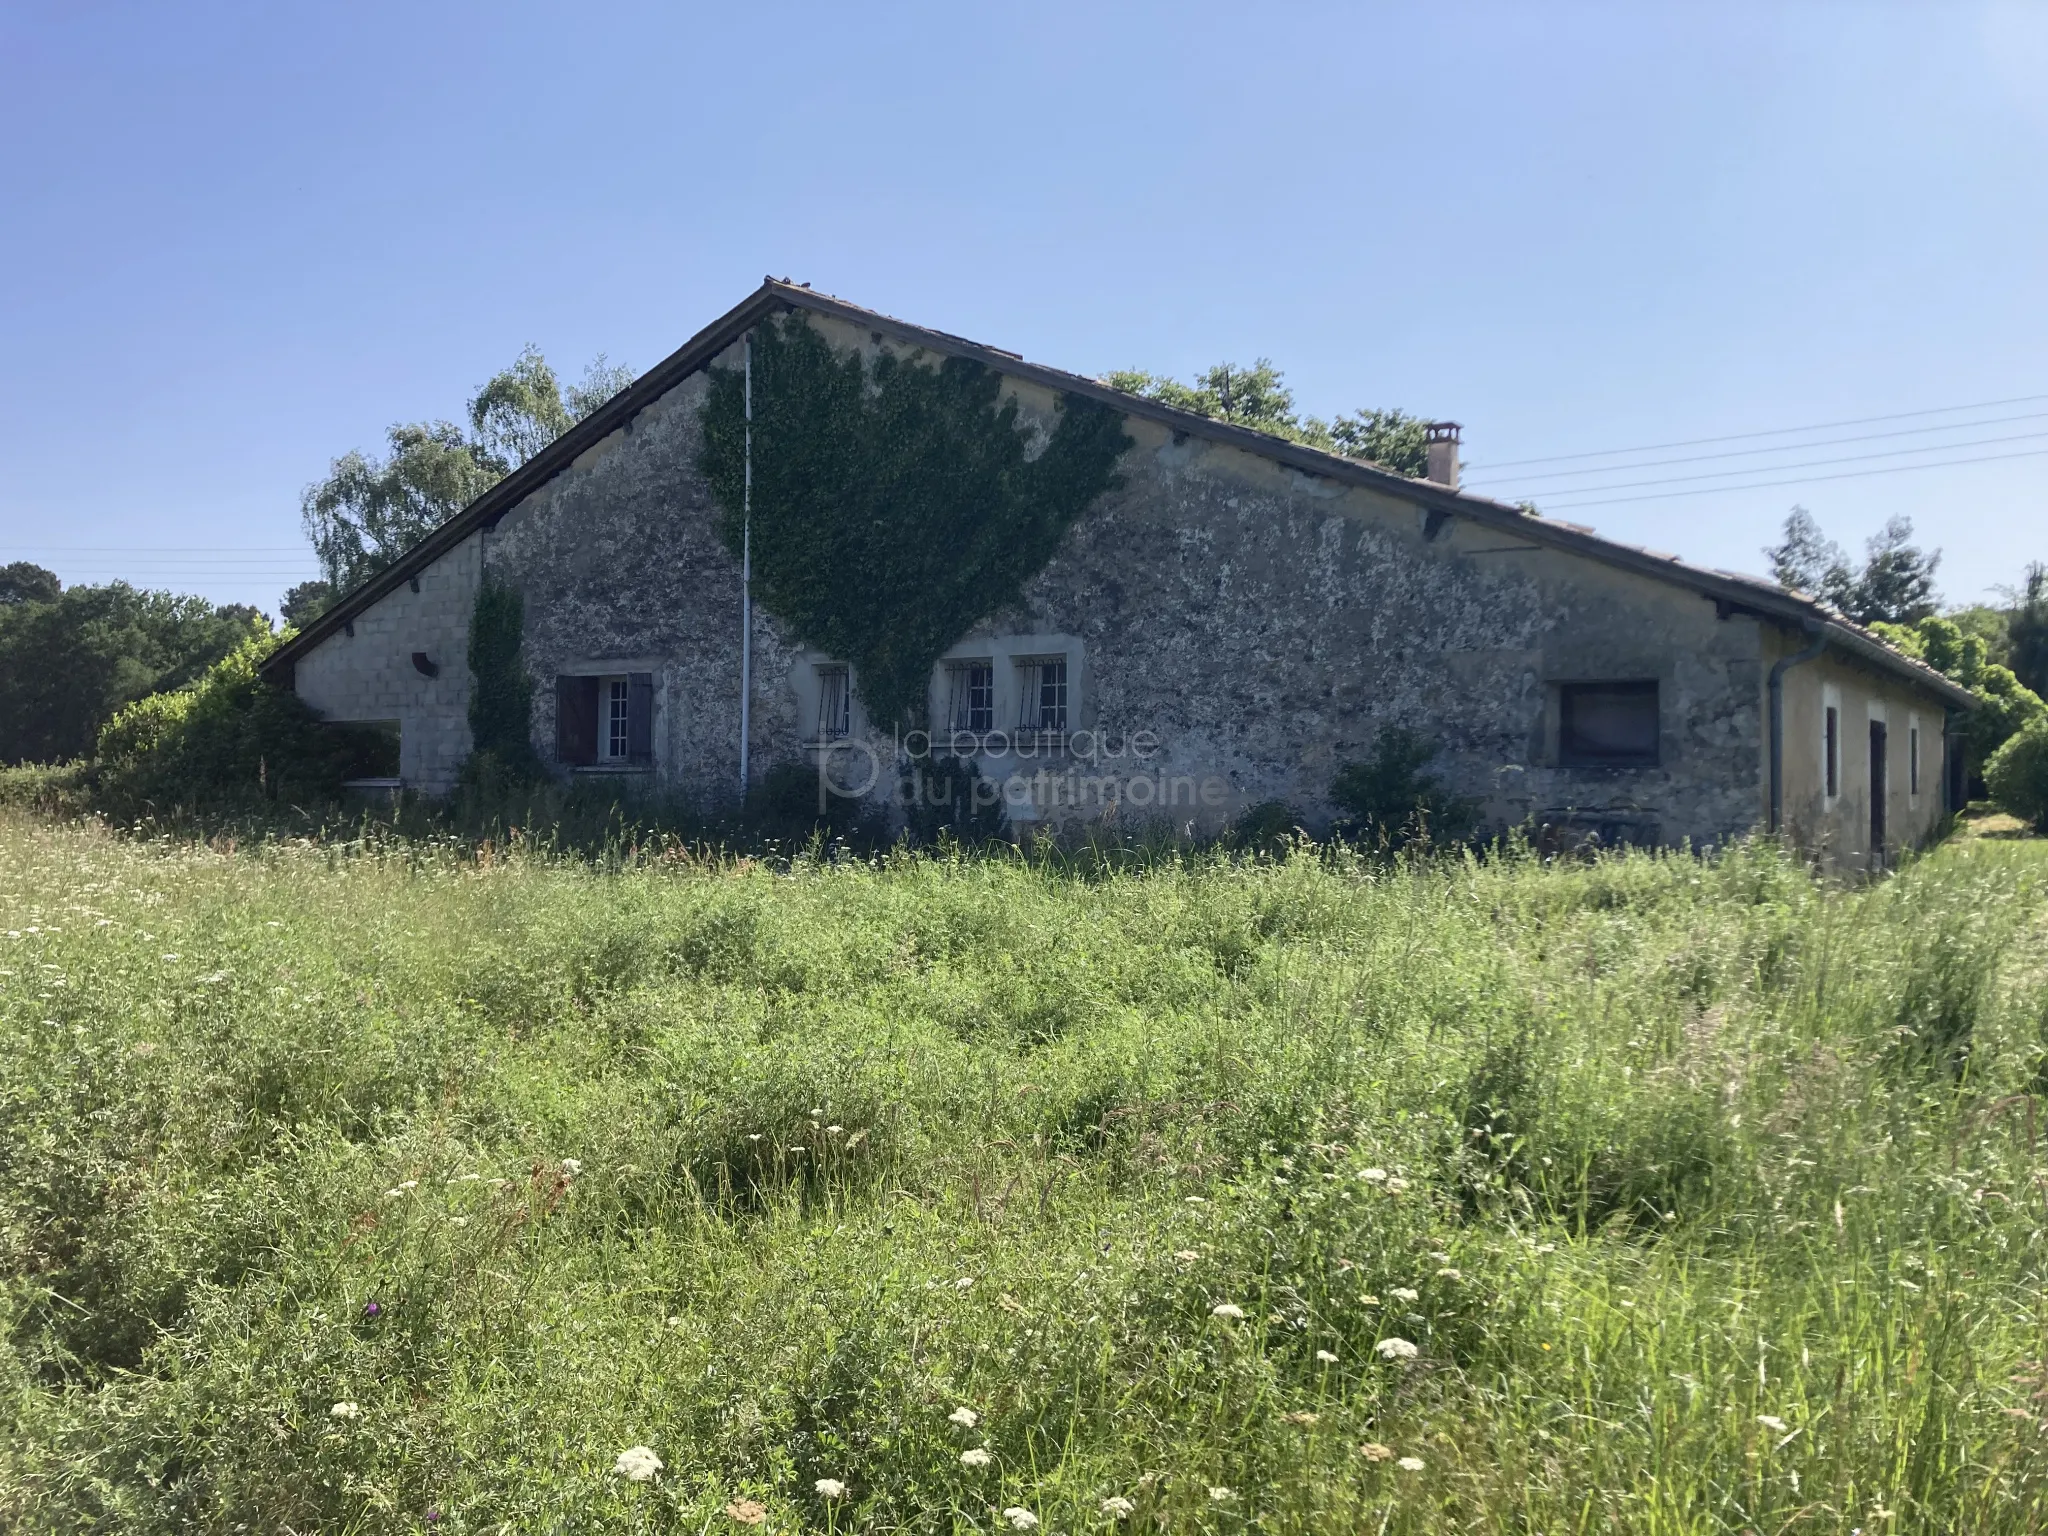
1232,622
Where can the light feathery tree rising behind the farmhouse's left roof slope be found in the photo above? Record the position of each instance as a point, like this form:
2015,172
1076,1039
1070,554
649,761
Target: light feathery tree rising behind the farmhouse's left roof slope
370,511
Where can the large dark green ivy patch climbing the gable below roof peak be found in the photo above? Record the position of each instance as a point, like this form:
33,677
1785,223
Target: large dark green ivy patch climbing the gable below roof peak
896,505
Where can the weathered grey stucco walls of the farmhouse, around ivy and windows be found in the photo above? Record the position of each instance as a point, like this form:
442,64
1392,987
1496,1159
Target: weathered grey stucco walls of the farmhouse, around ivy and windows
1252,626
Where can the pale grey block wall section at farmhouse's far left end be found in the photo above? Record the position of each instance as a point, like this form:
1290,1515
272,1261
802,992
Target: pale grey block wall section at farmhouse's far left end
370,675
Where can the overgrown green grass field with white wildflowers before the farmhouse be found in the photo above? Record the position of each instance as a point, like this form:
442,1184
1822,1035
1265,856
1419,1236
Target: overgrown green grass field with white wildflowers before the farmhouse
400,1189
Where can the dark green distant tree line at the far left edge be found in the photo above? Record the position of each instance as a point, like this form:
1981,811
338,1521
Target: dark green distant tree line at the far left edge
69,663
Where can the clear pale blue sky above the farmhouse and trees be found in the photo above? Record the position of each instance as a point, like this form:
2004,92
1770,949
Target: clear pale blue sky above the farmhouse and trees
239,241
